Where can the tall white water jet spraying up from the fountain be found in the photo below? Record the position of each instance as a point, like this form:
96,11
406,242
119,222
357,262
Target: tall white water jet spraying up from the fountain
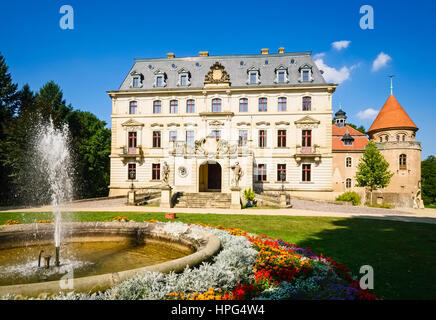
53,153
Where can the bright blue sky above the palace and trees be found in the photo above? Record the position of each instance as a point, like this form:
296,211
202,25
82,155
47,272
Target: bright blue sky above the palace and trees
96,55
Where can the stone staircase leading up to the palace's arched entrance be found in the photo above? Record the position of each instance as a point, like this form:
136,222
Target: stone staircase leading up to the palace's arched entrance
203,200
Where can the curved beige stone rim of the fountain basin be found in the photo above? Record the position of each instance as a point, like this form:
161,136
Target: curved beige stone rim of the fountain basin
205,244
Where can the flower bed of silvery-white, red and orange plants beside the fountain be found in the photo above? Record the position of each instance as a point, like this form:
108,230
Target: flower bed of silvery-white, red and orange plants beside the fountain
247,267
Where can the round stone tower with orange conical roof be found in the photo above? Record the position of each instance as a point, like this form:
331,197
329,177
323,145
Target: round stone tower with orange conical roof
395,134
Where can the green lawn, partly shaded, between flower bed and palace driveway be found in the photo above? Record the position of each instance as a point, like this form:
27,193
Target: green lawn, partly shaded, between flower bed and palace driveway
403,255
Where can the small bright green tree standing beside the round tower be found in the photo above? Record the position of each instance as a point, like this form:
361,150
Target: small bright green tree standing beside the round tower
372,171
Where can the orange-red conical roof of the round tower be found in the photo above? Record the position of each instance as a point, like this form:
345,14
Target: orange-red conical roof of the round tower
392,115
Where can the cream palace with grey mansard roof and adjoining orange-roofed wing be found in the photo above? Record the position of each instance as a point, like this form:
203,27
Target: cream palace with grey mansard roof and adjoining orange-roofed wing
188,122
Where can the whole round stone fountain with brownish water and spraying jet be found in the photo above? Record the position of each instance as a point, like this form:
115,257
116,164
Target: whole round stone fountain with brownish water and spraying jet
100,253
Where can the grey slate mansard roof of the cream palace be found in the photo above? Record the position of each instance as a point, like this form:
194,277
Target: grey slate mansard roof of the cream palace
199,66
